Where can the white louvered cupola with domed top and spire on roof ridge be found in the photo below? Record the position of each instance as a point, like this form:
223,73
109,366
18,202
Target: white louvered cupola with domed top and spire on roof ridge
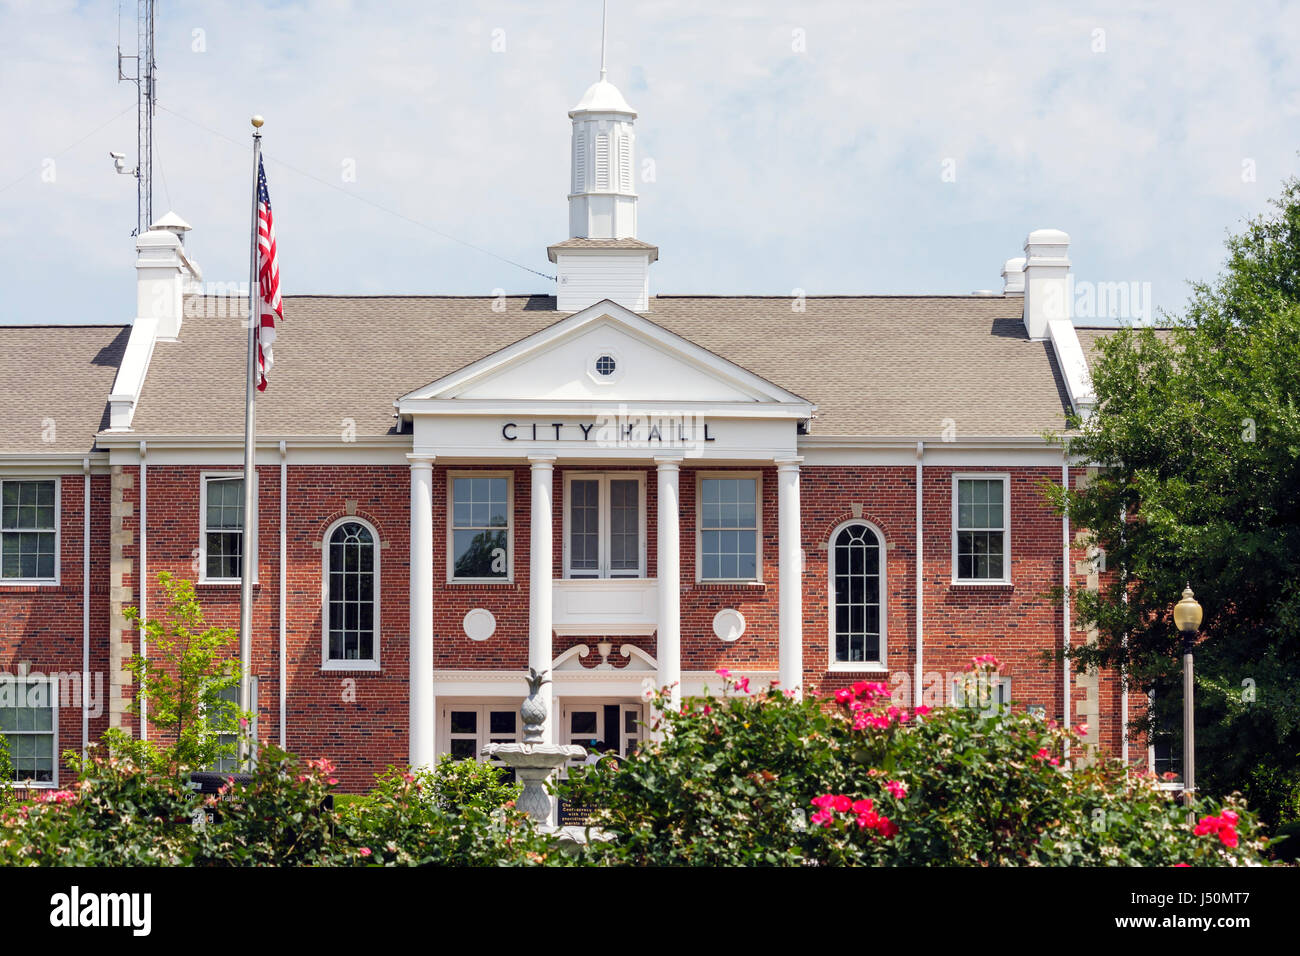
603,258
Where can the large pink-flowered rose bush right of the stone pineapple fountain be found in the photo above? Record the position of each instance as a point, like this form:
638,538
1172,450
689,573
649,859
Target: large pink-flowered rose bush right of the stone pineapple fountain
856,780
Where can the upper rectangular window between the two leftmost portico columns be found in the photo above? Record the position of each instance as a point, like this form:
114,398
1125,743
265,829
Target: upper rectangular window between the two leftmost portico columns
480,526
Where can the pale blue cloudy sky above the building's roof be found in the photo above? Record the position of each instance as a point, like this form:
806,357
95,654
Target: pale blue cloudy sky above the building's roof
795,146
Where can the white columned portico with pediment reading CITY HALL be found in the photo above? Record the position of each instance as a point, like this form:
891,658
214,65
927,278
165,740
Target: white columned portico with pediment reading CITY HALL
608,413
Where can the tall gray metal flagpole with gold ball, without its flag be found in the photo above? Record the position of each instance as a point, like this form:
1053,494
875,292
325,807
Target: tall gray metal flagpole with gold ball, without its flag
250,509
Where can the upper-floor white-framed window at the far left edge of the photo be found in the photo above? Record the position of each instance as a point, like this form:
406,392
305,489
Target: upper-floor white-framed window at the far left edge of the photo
29,530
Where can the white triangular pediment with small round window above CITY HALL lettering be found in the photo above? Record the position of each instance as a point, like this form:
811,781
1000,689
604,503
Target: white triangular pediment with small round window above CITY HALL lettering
605,354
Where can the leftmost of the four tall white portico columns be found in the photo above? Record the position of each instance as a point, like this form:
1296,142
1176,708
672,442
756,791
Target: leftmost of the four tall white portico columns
423,741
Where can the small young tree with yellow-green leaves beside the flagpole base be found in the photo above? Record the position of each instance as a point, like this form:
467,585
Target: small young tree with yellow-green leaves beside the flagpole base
184,681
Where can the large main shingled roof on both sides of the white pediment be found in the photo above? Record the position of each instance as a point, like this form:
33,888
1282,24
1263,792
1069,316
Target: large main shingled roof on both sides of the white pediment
874,366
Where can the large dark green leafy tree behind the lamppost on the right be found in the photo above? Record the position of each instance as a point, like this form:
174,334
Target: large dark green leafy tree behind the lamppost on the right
1198,439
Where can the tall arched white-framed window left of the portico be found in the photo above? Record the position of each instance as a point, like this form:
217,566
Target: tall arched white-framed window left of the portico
350,596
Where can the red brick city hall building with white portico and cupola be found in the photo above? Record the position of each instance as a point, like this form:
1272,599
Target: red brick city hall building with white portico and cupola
621,488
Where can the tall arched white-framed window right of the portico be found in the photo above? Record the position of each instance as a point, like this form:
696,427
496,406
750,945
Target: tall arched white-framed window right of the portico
857,596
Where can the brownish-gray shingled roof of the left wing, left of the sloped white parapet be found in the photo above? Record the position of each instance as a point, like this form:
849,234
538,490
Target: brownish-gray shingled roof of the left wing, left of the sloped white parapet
60,375
